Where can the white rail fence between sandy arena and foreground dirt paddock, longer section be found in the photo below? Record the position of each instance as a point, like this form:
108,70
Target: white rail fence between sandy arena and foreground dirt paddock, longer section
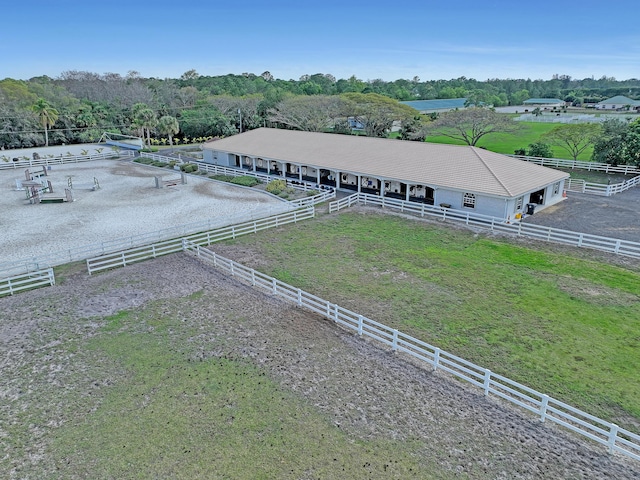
138,254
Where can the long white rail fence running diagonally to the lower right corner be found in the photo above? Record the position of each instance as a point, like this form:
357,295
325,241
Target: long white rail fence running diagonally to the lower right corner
615,438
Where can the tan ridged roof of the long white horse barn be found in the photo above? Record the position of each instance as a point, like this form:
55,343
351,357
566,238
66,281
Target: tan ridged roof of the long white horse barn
455,167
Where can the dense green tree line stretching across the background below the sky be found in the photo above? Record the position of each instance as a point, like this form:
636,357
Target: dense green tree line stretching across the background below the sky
78,106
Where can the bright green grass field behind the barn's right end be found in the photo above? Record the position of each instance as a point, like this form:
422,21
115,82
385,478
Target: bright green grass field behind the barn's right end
507,143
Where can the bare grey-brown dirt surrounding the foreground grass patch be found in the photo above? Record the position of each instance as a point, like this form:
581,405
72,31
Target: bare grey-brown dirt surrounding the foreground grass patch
365,390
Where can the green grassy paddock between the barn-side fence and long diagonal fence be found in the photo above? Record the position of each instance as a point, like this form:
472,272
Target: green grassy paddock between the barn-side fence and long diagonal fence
566,326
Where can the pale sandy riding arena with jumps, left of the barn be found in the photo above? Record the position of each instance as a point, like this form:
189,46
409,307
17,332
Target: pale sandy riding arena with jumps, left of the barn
127,203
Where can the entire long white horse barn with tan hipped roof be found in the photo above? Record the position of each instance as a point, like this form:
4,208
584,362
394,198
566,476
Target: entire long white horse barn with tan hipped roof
459,177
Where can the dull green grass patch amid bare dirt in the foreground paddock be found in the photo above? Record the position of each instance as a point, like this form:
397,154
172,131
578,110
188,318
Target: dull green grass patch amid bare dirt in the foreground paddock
174,414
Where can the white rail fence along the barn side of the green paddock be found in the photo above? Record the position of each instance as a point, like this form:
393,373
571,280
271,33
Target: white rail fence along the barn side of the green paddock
576,239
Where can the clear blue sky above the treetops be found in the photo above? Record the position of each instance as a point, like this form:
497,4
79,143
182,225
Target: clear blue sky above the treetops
388,40
